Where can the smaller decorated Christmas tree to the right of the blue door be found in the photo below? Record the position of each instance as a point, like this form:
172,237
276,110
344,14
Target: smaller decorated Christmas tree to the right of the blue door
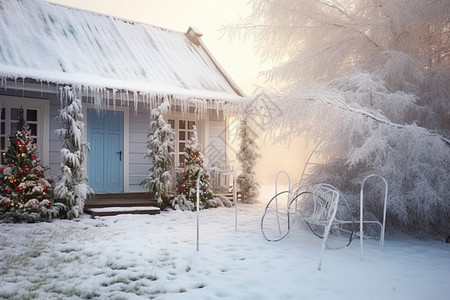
193,168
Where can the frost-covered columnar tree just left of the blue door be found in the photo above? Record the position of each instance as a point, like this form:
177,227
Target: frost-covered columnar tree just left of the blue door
71,188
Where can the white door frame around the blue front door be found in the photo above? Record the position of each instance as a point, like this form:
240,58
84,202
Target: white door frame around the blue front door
126,129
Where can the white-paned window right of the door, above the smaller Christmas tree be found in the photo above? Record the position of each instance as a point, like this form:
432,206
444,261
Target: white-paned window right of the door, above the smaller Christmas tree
184,130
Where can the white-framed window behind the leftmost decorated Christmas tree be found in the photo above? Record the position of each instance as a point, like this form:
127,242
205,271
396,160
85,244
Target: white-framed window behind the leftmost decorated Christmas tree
33,112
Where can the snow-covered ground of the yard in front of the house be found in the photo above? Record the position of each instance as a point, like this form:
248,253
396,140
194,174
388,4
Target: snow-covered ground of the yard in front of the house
154,257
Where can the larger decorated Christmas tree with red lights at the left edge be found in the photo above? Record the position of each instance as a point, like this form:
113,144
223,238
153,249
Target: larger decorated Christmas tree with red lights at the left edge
24,191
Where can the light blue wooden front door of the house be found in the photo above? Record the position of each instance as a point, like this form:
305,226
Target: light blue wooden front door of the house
105,160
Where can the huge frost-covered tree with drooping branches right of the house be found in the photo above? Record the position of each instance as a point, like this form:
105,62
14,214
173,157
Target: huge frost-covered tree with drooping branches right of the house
370,80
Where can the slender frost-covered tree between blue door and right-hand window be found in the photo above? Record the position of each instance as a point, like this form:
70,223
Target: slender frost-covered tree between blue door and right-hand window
160,147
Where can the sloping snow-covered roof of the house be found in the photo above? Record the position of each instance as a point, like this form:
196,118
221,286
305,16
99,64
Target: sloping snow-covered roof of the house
64,45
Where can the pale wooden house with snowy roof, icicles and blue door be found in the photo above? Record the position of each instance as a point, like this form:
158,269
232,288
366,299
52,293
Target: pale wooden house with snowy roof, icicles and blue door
121,69
